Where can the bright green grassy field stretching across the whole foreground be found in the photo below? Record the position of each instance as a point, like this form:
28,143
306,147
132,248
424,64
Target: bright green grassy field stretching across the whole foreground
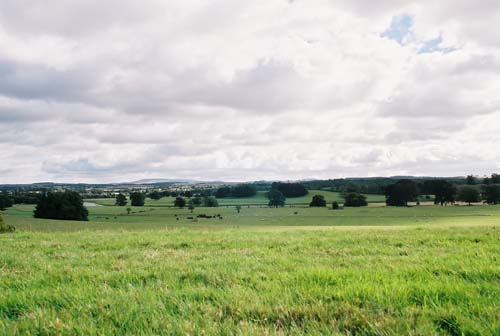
425,270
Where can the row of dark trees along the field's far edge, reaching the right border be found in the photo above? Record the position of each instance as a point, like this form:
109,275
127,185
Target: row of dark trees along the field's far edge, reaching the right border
404,191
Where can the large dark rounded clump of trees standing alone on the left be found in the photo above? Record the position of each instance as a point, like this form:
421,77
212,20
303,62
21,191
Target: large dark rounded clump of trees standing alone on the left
66,205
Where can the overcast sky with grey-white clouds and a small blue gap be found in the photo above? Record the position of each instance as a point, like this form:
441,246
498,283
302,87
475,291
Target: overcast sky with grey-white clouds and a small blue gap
121,90
